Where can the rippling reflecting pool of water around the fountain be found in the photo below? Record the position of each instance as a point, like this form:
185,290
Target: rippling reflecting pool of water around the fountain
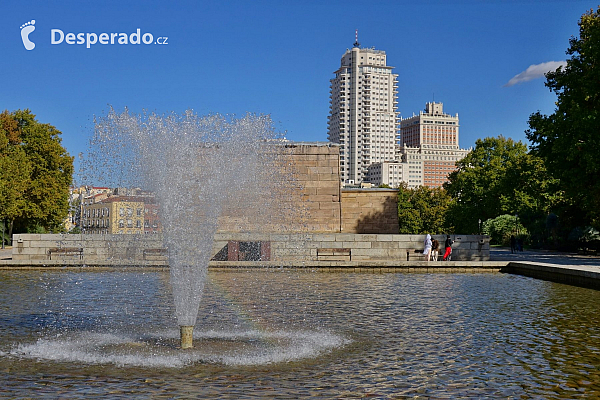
298,334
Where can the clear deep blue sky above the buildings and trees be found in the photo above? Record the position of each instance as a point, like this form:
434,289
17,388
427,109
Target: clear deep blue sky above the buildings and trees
276,57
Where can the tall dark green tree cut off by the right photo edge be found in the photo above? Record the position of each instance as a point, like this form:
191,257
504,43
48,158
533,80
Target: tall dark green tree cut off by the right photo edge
568,139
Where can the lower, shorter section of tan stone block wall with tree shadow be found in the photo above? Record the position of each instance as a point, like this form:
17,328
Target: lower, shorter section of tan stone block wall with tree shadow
370,211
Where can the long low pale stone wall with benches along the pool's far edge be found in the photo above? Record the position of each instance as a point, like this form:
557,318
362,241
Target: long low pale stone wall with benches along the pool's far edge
283,248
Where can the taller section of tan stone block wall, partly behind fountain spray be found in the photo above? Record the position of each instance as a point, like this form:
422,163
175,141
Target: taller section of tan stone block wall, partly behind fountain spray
305,196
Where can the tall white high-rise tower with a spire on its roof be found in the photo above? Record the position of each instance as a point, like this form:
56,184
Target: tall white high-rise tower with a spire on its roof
363,117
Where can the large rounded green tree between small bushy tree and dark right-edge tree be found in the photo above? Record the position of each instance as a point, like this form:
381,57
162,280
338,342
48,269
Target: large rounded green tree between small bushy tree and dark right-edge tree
499,177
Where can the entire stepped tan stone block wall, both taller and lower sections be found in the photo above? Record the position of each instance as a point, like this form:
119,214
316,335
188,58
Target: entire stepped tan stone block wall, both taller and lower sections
311,200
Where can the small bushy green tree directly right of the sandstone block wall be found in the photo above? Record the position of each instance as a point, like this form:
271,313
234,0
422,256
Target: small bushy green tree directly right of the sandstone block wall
422,210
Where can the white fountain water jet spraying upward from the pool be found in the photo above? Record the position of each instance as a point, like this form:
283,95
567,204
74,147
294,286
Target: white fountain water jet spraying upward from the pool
196,166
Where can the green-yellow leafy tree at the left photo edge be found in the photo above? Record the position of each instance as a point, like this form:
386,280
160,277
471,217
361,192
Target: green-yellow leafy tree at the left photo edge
35,172
